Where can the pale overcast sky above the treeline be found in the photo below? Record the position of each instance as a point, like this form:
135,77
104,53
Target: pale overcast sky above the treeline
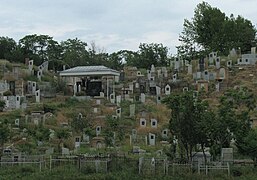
112,25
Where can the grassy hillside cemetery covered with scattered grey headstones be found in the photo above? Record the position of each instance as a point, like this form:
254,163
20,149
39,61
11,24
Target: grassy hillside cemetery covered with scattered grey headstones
87,116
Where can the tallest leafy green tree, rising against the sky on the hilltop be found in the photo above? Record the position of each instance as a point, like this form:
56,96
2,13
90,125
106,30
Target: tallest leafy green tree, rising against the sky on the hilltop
211,30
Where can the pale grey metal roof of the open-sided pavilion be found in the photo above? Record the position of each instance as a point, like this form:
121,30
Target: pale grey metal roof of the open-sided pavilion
90,71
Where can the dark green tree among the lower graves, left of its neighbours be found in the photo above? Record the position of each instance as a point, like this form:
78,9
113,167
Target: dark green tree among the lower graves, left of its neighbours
188,120
